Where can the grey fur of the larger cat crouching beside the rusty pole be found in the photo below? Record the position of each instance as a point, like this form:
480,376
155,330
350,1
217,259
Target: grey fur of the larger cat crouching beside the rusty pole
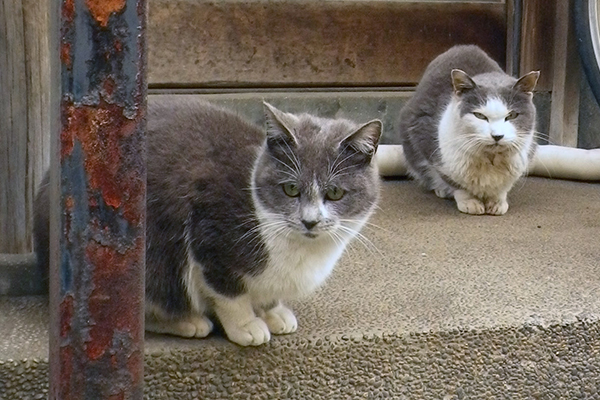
208,170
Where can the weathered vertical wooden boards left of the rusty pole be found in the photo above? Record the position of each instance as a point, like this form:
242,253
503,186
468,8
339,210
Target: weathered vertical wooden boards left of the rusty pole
24,116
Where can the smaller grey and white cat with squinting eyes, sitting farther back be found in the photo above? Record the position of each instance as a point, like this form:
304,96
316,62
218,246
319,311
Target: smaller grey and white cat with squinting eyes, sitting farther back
468,131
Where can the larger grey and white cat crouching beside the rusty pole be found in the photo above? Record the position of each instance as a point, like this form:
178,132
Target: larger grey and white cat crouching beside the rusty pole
239,220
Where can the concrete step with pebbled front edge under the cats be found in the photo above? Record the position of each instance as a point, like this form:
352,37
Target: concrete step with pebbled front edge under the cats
439,305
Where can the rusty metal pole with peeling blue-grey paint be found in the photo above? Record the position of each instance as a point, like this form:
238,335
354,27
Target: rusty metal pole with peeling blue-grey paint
98,186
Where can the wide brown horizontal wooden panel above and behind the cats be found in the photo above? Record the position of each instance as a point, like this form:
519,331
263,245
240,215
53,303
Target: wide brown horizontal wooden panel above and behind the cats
311,43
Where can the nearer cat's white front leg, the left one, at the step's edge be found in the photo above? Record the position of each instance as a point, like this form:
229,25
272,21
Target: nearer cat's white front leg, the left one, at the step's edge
241,325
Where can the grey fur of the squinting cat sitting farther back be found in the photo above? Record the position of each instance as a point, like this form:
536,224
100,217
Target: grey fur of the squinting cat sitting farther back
468,76
